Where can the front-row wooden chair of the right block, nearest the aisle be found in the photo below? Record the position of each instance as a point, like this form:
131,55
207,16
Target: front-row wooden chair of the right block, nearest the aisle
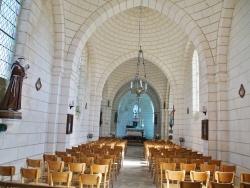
175,176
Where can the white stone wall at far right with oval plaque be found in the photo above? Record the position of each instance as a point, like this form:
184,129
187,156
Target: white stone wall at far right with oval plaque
238,67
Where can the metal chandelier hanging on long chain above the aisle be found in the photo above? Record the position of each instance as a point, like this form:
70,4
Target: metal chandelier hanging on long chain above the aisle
138,85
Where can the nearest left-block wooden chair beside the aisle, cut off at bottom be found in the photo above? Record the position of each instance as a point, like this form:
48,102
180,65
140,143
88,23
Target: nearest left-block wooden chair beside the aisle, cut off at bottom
90,180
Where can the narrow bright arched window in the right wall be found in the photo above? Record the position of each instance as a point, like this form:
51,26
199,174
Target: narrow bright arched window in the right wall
195,81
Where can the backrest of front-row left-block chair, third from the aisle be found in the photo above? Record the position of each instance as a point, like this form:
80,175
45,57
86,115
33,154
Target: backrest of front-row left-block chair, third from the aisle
30,174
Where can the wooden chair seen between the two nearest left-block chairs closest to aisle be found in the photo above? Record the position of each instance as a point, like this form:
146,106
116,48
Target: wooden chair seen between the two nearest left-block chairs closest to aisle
76,169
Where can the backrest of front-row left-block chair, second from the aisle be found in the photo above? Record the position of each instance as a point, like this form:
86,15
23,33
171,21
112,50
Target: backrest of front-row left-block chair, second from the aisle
60,177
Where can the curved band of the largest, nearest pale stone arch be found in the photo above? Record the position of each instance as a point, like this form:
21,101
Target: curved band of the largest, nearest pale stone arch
167,8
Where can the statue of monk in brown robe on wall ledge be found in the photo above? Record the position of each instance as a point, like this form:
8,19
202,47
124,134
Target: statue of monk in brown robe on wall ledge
12,98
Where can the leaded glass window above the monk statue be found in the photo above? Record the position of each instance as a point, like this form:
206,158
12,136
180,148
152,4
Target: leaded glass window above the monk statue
8,21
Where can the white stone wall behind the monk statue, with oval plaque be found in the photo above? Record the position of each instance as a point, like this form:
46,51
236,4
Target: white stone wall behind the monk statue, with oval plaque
35,42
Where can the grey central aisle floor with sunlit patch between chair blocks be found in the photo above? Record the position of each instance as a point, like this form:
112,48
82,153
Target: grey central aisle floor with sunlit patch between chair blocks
134,173
